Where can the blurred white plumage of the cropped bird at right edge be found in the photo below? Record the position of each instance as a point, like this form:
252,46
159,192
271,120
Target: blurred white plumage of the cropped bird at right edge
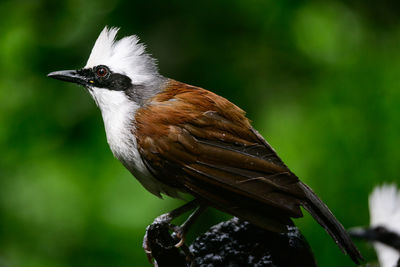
384,208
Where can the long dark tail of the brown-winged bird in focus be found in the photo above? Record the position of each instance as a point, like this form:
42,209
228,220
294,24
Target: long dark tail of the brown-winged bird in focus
327,220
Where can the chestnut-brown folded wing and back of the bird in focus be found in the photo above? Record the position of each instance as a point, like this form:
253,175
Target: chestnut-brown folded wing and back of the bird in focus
195,140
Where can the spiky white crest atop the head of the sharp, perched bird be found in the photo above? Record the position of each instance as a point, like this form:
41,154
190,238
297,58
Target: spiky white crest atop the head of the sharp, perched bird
126,56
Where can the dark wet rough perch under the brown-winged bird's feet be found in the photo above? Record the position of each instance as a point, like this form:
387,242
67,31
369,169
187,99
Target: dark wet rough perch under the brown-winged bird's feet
231,243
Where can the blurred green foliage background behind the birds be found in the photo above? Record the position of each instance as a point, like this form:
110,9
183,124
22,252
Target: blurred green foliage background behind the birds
319,80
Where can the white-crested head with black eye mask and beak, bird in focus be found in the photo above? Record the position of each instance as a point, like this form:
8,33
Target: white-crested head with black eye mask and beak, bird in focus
117,71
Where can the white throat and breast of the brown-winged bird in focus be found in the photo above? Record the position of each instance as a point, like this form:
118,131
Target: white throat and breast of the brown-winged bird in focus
118,115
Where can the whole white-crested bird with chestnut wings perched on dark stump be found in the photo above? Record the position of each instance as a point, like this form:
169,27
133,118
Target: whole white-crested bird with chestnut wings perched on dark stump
177,139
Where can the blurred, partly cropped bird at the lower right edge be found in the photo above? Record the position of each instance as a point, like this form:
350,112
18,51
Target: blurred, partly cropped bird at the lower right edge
384,229
